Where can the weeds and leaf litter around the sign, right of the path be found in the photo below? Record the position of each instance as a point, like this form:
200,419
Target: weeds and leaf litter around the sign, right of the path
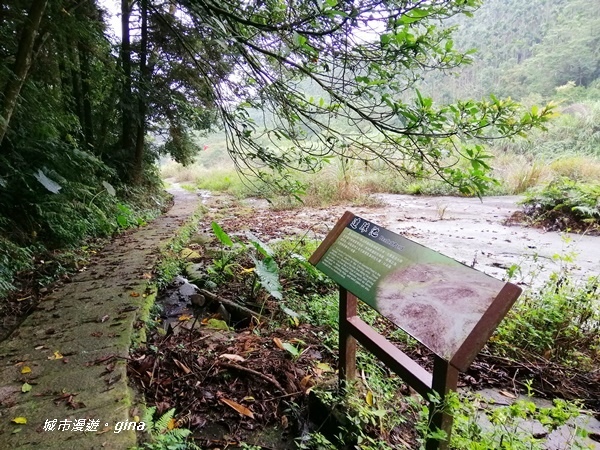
273,366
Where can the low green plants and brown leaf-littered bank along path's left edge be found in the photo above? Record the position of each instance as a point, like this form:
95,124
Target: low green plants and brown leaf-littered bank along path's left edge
51,248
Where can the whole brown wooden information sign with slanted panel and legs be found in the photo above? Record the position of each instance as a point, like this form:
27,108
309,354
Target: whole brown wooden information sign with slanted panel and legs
450,308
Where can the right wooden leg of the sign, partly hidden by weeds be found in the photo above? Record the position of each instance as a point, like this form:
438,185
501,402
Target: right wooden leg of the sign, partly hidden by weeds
445,379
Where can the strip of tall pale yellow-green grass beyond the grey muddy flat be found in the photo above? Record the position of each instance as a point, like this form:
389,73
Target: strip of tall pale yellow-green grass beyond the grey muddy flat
353,182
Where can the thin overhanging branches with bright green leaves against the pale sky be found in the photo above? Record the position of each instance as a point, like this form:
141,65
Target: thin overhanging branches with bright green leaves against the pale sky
360,61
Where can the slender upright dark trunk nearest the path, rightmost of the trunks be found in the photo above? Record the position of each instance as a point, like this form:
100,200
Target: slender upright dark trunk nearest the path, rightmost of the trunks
138,160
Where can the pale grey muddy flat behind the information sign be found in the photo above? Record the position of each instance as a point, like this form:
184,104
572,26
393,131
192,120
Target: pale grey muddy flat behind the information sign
469,230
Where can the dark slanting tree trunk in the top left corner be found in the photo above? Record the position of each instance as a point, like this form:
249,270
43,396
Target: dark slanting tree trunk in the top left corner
22,64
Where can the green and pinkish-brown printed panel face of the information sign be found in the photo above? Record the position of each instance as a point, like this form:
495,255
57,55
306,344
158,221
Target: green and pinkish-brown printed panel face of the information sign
432,297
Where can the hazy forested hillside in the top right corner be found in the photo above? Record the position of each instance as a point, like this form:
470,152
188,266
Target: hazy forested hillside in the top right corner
525,48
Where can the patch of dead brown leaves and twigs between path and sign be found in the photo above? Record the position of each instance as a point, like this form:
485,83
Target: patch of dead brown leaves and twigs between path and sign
239,379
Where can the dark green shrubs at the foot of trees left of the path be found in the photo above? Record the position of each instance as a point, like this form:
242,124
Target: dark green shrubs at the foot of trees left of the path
55,196
